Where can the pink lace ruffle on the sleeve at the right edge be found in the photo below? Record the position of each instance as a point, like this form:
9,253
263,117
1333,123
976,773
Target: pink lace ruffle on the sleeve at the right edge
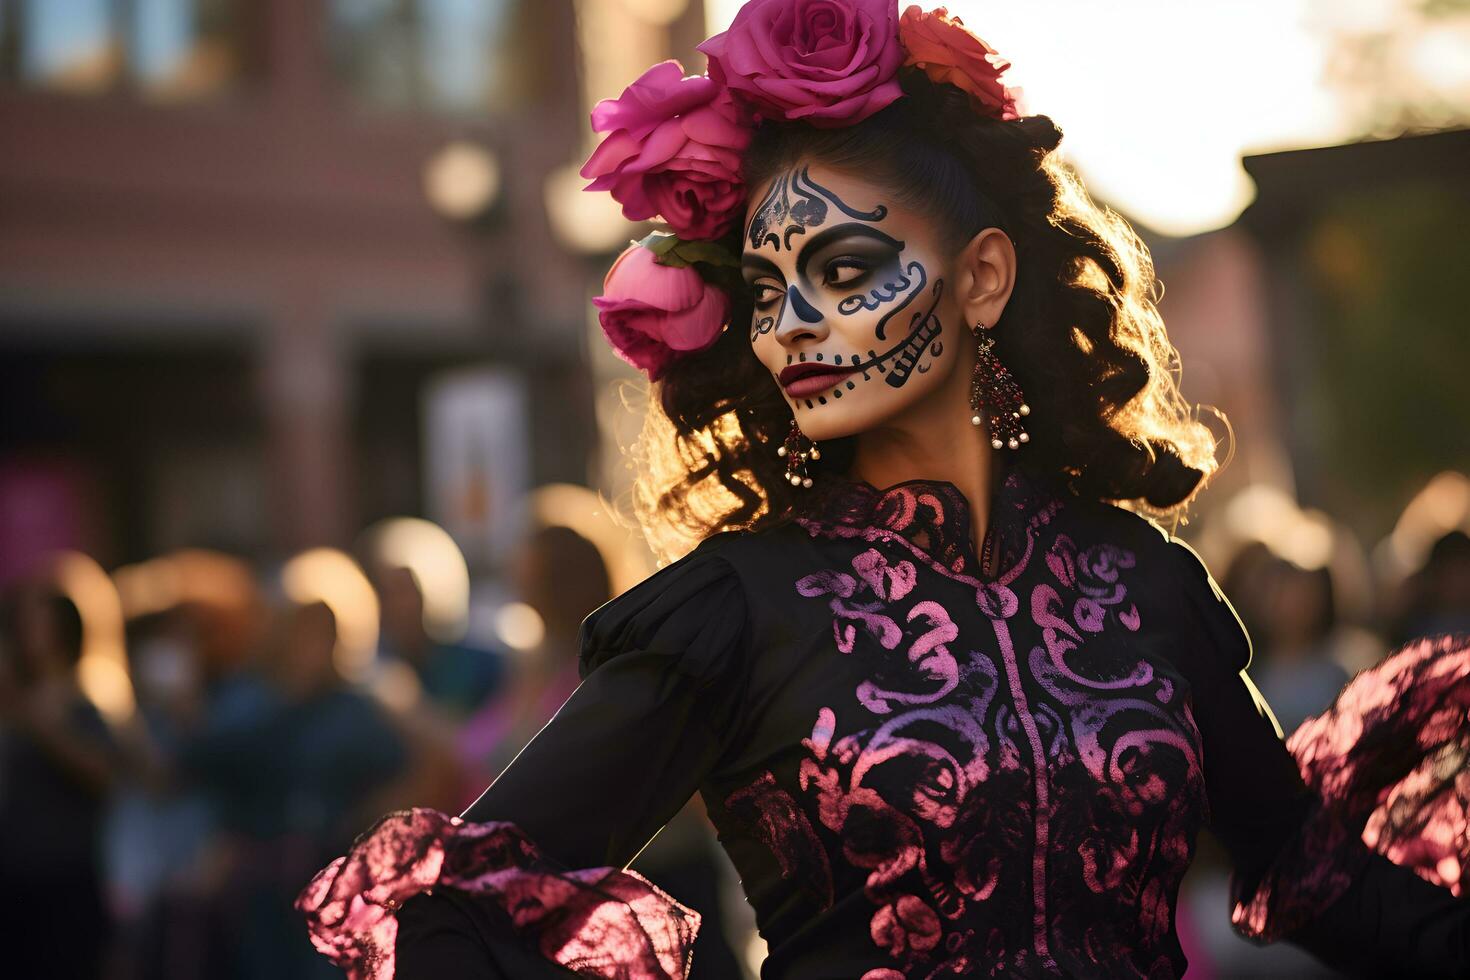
1388,769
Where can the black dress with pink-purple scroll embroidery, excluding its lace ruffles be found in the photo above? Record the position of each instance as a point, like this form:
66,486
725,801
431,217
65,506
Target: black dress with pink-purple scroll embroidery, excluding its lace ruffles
924,768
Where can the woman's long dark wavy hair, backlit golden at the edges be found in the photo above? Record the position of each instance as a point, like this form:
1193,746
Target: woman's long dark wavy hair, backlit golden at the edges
1081,331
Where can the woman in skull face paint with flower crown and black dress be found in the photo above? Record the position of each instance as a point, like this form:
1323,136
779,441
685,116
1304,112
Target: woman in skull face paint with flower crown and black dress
952,709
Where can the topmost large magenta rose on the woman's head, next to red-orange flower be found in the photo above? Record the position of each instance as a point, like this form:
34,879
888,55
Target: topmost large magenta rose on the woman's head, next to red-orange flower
827,62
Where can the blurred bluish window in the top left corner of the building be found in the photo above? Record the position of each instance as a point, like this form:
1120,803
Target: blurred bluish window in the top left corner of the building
173,51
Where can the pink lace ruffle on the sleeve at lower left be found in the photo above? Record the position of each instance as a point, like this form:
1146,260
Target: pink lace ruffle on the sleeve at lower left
596,922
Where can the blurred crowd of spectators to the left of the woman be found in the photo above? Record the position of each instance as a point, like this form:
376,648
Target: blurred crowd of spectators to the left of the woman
162,828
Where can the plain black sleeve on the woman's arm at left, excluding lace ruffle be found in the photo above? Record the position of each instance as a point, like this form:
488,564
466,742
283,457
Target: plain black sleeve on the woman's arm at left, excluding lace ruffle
664,677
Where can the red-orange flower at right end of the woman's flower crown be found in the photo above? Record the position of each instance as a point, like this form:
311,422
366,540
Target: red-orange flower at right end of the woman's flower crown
949,52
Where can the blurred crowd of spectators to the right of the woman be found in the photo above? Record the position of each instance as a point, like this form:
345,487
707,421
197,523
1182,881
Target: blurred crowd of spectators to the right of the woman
1318,608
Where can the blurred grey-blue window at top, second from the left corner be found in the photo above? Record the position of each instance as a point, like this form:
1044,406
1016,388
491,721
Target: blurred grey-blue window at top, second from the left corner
455,57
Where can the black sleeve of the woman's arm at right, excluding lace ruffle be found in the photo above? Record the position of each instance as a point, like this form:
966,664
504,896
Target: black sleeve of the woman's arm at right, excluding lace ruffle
1300,868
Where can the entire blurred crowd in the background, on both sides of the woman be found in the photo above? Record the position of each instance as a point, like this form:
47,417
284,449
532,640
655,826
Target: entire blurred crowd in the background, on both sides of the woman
186,741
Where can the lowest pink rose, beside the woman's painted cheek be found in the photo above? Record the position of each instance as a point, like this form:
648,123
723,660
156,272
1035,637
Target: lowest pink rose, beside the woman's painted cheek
653,314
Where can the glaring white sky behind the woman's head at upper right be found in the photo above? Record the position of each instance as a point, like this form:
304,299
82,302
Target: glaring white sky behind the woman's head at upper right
1159,99
